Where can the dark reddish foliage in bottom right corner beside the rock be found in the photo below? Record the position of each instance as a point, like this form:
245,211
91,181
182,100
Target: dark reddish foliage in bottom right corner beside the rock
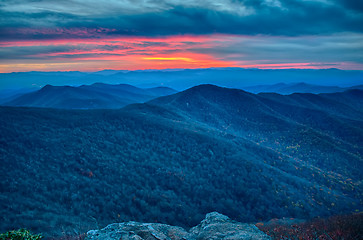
333,228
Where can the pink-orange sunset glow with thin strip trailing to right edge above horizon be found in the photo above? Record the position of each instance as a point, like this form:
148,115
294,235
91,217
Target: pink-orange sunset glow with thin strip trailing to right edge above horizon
134,53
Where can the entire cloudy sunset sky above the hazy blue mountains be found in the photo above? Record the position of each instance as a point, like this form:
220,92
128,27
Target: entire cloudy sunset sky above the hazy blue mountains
92,35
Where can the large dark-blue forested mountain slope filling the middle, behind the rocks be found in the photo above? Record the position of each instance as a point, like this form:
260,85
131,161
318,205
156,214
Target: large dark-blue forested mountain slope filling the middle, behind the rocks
253,157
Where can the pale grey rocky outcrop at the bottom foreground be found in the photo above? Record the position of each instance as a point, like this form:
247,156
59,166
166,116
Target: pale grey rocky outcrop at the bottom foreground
214,226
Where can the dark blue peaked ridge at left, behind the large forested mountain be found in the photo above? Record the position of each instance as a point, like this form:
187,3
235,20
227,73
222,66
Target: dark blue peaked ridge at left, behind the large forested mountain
97,95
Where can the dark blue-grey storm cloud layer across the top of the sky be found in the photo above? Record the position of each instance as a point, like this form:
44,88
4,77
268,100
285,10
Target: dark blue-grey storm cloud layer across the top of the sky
75,19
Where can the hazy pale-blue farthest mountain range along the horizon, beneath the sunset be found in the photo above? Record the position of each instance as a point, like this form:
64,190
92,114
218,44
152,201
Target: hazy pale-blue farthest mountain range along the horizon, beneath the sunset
181,79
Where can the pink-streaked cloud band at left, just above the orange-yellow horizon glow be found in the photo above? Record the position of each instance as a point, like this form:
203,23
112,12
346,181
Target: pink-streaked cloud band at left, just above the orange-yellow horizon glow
61,49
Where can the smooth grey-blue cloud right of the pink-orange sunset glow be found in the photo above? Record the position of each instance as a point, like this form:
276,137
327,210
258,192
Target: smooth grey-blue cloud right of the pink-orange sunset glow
282,49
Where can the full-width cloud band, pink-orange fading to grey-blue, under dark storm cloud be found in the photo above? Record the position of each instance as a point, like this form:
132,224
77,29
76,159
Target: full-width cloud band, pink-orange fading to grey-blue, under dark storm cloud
135,52
